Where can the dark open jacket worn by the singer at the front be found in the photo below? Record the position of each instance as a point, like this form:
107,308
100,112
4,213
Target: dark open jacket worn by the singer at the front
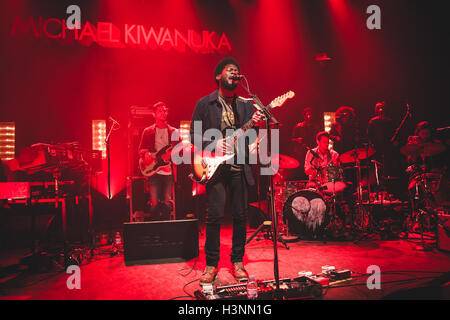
209,111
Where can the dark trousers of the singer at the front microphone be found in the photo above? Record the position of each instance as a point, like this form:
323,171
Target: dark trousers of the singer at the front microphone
216,197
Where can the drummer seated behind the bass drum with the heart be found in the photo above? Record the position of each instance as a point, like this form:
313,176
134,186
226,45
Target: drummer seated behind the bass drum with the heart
317,160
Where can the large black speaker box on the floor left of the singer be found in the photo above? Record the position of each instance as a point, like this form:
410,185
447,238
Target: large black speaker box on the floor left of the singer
158,242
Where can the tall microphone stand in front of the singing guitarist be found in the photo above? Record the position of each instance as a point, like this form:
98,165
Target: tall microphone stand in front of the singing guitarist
271,194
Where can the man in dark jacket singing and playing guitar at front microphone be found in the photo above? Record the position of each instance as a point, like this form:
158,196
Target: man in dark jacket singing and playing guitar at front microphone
222,110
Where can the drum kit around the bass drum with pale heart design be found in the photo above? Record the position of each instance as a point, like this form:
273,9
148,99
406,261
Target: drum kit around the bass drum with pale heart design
328,210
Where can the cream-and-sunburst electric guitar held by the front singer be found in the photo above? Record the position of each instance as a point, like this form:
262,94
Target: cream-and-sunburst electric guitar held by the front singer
207,165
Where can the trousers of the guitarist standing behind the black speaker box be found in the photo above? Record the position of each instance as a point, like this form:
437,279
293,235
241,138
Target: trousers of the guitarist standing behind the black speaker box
160,195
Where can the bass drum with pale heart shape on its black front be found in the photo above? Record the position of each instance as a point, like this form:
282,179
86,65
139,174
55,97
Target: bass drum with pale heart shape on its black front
306,214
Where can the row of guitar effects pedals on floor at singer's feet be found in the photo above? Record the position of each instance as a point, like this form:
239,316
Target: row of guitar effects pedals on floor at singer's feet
297,288
